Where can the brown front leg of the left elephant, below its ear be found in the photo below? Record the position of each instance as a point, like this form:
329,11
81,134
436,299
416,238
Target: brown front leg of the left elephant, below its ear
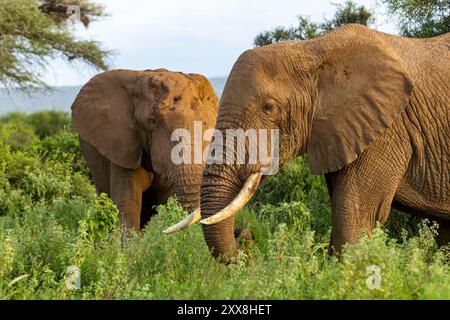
127,186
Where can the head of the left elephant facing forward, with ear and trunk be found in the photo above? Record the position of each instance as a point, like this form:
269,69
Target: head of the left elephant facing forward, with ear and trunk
128,115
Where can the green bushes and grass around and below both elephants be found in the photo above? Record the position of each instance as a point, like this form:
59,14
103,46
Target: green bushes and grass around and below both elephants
51,218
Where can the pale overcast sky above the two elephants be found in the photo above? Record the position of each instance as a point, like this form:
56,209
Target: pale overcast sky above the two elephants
203,36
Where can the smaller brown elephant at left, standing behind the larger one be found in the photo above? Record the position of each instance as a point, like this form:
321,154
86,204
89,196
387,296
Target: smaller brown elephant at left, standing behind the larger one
125,120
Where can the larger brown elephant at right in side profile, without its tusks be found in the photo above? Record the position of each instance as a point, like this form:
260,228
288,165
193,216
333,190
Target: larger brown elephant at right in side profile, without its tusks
371,110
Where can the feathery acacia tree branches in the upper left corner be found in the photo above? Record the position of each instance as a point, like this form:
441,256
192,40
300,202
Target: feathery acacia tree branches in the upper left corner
32,32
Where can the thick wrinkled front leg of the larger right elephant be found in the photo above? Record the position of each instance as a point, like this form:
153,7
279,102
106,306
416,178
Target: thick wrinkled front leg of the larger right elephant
362,193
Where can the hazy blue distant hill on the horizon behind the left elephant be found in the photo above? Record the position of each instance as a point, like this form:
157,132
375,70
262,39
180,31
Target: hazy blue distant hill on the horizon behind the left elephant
60,98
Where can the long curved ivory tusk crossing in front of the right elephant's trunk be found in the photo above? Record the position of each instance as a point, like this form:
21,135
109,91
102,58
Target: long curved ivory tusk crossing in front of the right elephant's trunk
239,202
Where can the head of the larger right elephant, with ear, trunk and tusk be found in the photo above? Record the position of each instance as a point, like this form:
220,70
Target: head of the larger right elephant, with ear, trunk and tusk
329,97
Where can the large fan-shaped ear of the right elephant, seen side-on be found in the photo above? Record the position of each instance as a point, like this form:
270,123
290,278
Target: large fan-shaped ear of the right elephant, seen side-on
362,87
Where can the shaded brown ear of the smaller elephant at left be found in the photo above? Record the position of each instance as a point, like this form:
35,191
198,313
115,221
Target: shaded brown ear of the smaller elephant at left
102,114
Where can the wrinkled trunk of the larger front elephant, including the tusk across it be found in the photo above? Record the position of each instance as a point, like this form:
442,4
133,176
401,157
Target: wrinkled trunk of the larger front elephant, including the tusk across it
225,190
